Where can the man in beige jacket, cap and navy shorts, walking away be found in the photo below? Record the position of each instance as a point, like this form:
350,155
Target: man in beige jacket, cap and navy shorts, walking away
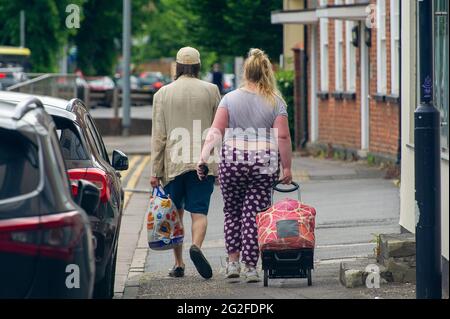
179,107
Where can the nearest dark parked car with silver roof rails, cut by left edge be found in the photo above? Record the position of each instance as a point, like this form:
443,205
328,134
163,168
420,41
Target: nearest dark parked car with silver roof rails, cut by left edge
44,235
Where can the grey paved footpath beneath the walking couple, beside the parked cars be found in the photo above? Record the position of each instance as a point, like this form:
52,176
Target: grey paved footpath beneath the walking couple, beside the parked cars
354,203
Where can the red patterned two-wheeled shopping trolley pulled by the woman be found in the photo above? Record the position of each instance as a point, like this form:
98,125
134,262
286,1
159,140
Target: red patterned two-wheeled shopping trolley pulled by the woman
286,237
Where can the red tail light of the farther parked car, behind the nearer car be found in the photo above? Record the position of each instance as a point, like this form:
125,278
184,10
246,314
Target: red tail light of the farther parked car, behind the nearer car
94,175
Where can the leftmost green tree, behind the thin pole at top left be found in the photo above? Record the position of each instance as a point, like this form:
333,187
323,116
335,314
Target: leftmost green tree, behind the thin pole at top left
46,32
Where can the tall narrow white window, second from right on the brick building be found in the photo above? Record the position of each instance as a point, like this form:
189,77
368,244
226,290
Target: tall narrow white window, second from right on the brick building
381,47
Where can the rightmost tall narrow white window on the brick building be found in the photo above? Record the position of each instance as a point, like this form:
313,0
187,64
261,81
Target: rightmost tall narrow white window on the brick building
395,47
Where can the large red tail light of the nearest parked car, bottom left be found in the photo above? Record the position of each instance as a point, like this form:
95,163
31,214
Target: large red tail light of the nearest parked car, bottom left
53,236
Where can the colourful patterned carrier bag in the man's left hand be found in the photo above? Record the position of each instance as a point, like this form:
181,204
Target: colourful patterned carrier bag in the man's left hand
164,229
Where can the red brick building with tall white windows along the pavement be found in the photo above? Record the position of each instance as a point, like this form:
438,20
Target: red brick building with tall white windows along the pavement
347,88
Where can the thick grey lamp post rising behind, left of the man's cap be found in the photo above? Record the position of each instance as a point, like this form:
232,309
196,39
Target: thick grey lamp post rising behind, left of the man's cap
126,67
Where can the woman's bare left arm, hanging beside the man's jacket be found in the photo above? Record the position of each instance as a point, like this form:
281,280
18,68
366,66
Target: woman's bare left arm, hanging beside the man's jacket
215,133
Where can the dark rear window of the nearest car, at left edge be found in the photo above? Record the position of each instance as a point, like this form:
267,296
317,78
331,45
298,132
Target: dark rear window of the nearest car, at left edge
19,165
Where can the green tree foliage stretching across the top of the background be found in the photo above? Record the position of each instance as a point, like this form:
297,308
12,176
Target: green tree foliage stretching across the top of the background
220,29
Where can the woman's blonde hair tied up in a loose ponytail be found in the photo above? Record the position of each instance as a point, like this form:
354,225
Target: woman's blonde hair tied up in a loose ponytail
258,70
